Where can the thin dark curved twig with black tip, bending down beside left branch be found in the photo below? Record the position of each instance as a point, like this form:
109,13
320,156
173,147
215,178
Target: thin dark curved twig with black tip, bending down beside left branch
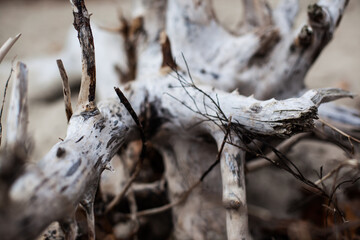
139,164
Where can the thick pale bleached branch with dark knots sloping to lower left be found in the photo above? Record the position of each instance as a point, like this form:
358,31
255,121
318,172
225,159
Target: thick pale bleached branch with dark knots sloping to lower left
68,174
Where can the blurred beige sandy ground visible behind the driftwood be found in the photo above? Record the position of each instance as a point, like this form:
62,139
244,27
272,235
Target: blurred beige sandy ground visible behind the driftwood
44,25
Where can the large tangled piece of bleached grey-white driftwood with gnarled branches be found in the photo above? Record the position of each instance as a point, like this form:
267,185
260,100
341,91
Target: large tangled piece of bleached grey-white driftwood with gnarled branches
184,103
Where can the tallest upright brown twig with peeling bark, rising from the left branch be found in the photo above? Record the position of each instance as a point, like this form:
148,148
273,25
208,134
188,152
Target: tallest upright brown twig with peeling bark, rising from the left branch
86,99
